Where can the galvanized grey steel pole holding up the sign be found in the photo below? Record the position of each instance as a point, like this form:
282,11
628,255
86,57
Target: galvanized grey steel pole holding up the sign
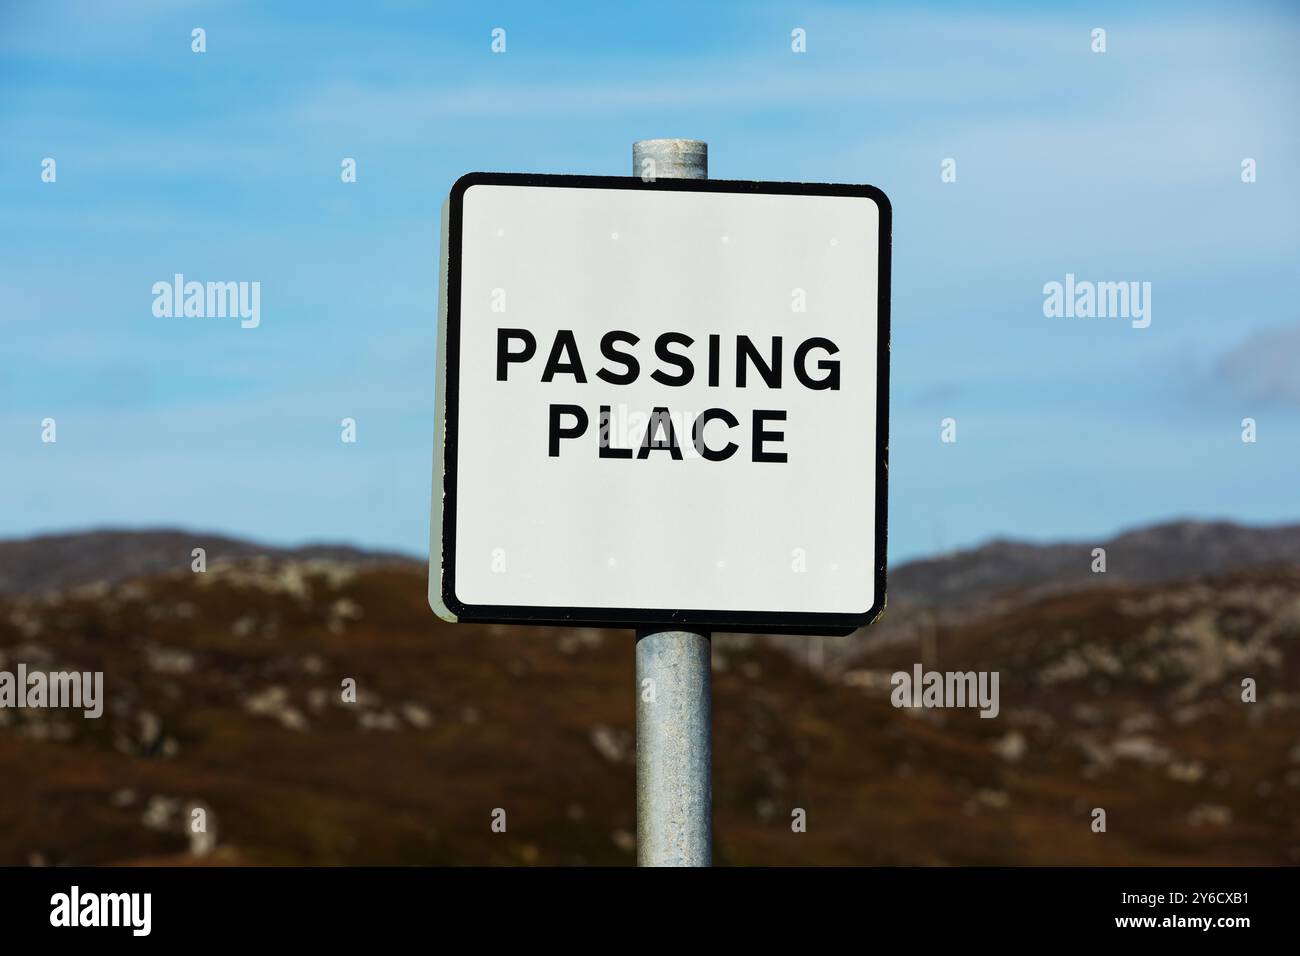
675,743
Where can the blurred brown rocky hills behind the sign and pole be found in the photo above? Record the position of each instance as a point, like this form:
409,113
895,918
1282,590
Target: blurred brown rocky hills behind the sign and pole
1119,690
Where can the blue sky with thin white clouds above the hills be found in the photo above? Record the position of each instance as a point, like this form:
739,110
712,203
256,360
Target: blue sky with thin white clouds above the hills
1124,166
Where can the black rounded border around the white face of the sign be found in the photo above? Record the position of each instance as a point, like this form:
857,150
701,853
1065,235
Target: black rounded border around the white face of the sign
725,621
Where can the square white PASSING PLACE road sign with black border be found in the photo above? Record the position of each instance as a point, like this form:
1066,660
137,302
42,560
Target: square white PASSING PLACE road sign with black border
662,403
